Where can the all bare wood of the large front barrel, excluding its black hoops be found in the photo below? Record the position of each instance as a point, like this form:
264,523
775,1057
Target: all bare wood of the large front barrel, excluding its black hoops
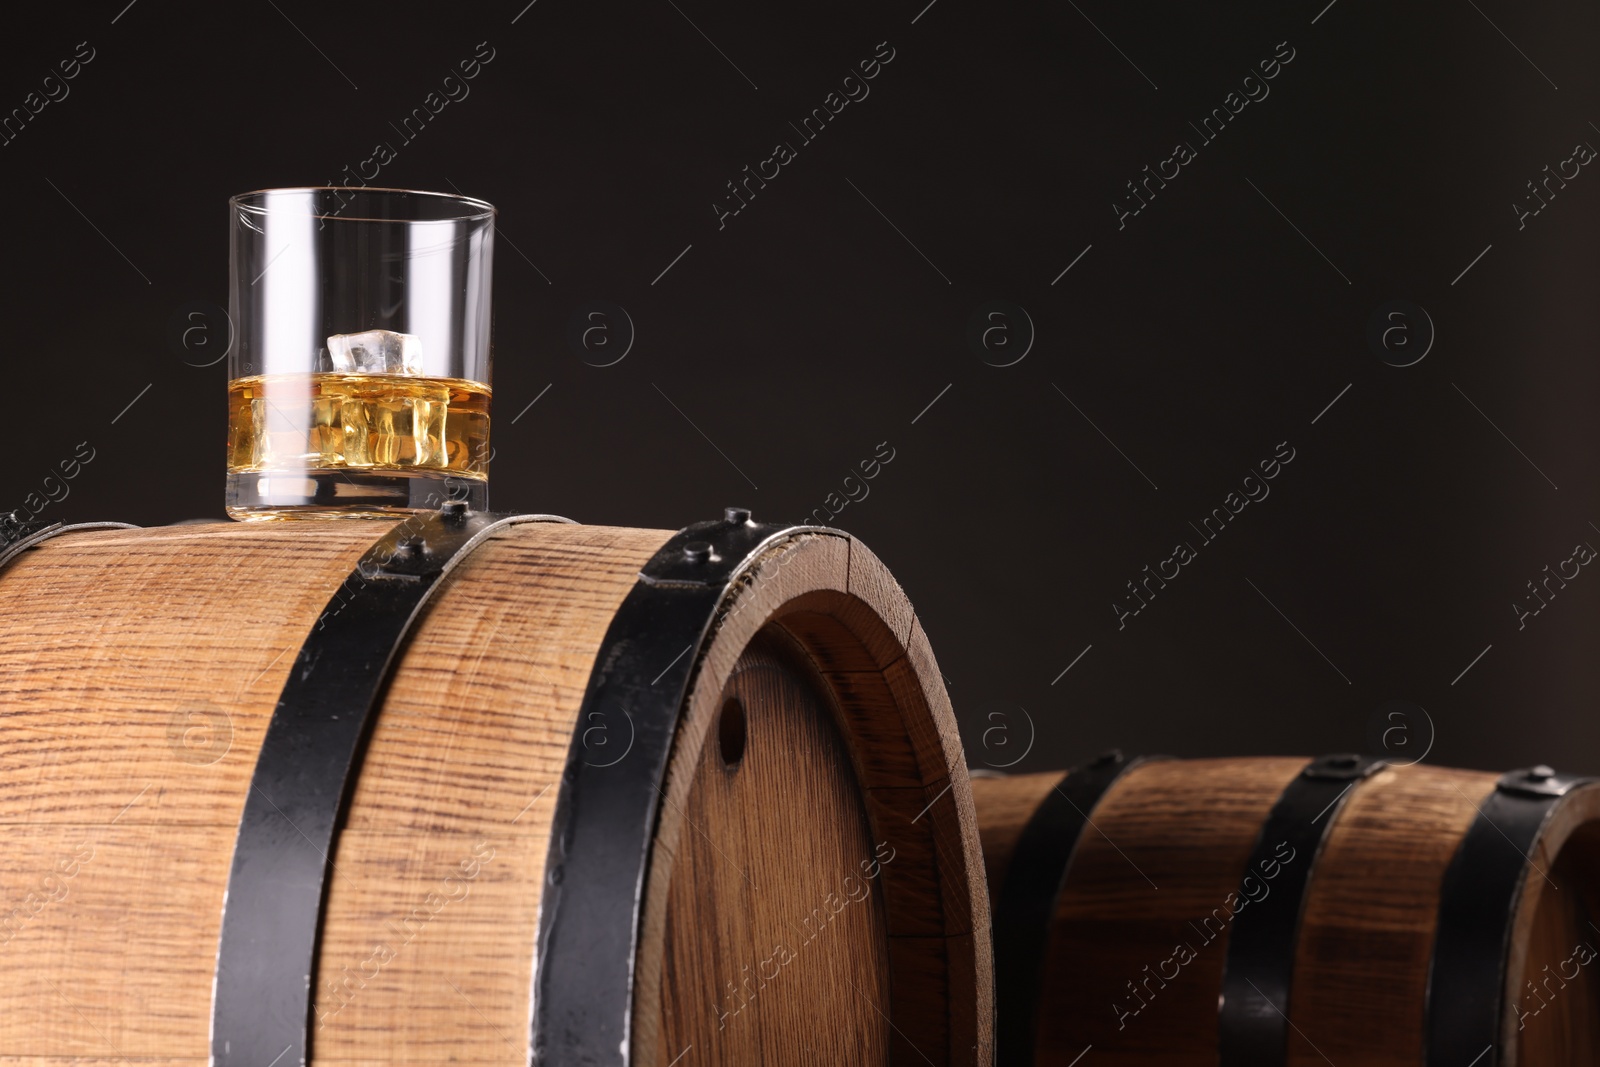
138,671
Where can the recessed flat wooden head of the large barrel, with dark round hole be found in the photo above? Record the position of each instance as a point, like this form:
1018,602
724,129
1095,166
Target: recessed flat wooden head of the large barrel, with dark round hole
788,905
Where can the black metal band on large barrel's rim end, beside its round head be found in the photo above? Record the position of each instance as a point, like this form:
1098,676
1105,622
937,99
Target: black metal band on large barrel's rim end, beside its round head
606,815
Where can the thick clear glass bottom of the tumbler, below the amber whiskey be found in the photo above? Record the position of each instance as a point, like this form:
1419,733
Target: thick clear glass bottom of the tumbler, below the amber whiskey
346,494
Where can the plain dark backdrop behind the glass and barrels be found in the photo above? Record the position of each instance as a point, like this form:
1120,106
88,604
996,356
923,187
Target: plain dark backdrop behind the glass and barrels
780,351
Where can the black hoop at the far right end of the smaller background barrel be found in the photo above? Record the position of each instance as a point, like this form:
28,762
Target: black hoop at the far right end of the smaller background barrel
1466,983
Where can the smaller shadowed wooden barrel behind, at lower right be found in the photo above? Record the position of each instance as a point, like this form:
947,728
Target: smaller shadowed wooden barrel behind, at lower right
1260,913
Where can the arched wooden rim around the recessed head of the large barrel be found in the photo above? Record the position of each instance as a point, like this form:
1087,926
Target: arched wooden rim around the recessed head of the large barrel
833,599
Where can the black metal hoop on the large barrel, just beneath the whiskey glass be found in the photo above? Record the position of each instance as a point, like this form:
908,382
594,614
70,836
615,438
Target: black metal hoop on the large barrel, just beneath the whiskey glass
266,964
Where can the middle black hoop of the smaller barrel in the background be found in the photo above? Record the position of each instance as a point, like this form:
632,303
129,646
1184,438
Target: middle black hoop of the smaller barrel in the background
1254,1025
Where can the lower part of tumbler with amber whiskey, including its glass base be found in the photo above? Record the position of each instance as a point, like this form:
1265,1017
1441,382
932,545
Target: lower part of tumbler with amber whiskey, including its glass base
354,444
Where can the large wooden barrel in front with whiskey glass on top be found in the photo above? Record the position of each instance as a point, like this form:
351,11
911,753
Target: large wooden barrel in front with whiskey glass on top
607,797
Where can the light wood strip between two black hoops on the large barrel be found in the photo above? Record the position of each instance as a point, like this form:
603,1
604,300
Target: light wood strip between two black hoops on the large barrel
463,765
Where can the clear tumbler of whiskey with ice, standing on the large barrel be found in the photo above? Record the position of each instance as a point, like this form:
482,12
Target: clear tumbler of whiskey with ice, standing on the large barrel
359,377
